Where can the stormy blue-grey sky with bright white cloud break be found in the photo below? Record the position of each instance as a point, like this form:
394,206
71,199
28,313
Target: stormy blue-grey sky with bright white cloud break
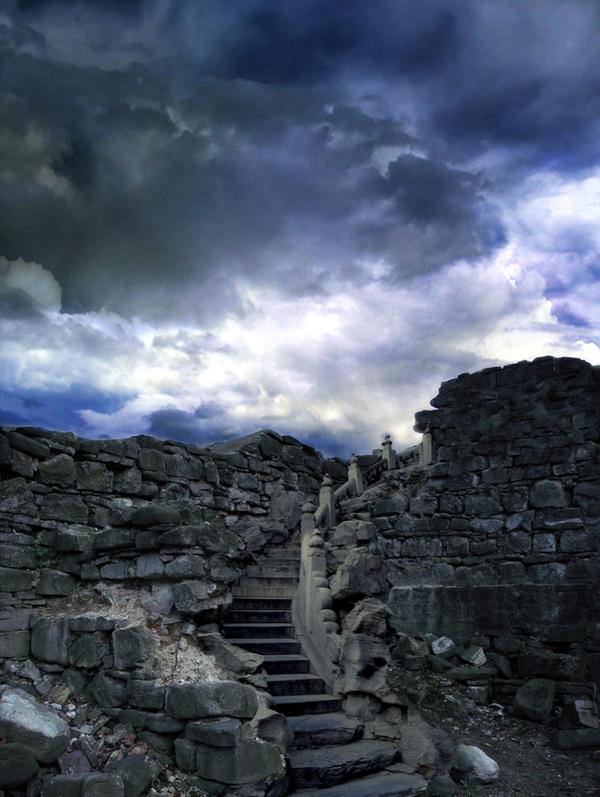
300,215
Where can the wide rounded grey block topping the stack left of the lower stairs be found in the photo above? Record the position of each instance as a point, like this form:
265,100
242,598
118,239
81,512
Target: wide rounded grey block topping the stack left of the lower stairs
211,699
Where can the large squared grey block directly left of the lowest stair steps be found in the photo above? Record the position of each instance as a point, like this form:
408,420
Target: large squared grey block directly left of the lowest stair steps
251,761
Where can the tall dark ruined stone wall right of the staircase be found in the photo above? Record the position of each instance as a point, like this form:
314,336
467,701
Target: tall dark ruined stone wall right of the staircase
500,535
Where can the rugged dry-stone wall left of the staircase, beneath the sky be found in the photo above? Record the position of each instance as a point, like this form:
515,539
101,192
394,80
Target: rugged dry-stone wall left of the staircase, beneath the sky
174,520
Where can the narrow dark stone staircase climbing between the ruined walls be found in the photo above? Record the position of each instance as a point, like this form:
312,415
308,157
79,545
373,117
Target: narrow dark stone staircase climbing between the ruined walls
328,756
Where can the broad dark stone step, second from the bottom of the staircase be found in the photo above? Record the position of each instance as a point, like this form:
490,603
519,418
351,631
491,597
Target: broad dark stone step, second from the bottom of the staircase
334,764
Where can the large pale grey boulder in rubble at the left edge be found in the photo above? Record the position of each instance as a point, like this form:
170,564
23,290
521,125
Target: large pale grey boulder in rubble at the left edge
33,725
